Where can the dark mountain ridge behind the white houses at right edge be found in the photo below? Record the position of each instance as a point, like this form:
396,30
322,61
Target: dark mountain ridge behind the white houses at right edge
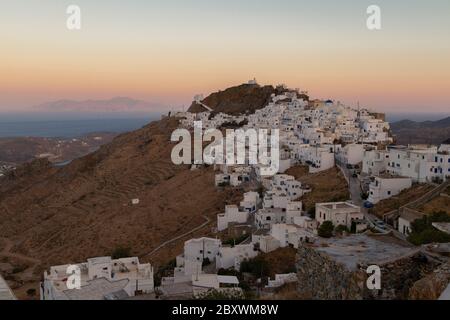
432,132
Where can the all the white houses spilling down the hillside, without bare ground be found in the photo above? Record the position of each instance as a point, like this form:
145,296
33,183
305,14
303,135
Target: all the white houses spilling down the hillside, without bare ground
316,133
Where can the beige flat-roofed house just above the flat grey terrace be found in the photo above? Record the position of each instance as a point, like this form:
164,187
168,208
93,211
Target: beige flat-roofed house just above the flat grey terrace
340,213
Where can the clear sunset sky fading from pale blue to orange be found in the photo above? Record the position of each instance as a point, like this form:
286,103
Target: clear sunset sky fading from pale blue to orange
168,51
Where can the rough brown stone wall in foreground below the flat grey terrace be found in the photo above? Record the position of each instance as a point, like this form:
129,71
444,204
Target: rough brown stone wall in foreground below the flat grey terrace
321,278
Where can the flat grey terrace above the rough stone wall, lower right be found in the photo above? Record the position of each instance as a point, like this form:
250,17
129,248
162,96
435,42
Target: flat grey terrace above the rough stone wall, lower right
364,249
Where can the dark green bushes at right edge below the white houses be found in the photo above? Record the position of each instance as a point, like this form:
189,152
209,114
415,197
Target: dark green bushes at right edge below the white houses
423,231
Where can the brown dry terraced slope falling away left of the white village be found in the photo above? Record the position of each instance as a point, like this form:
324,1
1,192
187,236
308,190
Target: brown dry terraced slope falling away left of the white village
62,215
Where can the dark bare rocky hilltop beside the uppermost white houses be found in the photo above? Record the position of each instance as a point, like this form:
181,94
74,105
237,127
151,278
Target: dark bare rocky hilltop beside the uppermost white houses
245,98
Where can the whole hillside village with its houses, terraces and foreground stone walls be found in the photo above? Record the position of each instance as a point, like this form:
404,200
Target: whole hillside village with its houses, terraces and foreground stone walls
344,235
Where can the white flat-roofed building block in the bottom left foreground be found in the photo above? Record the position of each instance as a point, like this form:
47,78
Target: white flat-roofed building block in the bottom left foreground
100,278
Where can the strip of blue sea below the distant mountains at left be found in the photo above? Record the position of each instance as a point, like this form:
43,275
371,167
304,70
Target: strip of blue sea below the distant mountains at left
70,125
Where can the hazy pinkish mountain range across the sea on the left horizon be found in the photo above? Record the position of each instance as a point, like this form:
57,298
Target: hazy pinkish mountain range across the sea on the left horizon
117,104
